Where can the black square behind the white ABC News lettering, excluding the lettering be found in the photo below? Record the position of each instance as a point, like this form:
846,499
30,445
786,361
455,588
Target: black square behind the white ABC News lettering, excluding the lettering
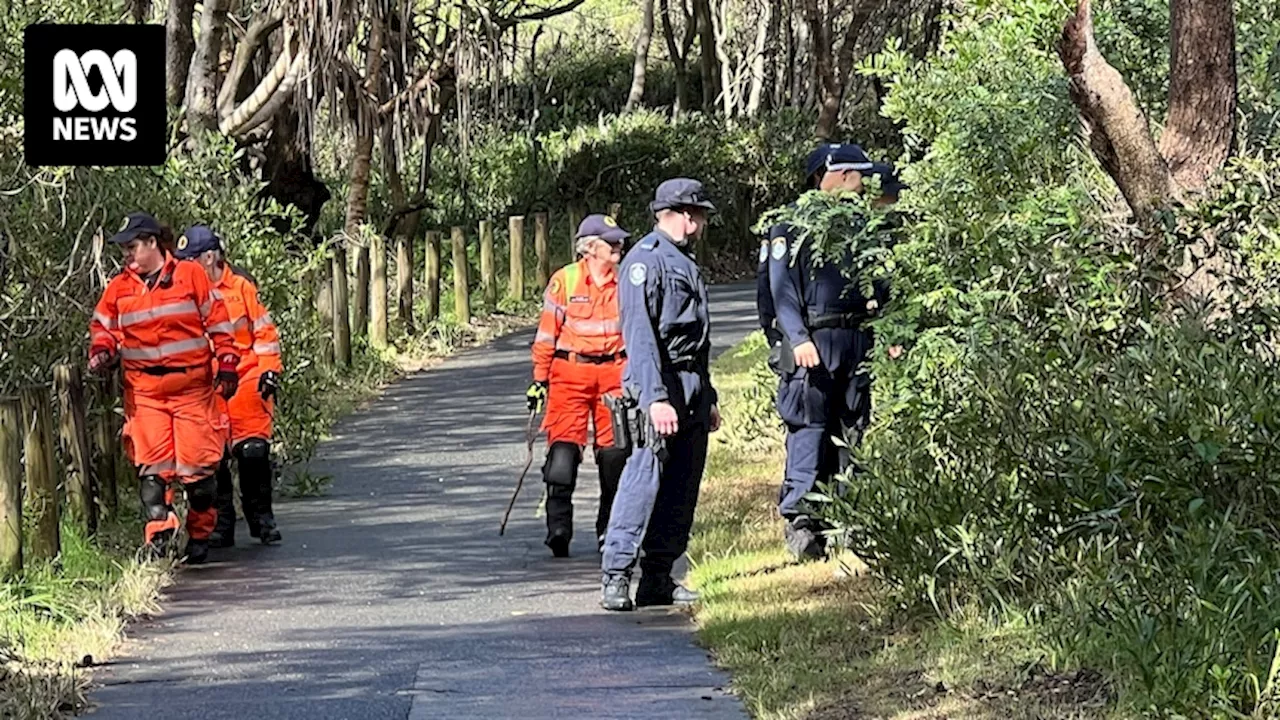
42,43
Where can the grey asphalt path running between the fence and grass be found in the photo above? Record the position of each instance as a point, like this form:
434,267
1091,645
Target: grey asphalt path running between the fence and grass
395,598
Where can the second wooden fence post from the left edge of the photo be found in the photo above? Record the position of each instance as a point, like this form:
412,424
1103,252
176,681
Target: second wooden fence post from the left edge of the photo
40,472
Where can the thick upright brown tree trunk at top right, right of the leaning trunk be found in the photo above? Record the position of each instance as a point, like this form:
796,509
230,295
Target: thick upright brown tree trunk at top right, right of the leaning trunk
1200,133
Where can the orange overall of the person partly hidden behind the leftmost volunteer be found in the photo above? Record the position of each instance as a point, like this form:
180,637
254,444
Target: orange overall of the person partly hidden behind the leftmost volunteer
258,341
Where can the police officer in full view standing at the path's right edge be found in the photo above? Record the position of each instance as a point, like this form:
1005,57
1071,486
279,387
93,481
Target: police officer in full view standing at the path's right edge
666,329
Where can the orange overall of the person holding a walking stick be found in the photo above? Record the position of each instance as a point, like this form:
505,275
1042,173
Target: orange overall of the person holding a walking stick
579,352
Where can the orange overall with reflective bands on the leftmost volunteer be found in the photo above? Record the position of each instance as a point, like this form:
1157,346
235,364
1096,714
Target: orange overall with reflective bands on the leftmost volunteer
167,338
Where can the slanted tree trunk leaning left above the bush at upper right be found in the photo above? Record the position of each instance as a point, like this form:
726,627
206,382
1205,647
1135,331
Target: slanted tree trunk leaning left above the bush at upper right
1118,130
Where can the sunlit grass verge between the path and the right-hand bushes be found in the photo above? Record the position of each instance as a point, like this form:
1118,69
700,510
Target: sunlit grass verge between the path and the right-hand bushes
821,641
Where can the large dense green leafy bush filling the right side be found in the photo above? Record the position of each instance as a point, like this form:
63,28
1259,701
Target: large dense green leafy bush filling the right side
1063,439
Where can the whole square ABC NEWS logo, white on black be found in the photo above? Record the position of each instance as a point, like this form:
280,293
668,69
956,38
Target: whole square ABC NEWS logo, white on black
95,95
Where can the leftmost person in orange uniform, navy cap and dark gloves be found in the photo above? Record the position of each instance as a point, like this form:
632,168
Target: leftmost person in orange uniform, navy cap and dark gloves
166,323
